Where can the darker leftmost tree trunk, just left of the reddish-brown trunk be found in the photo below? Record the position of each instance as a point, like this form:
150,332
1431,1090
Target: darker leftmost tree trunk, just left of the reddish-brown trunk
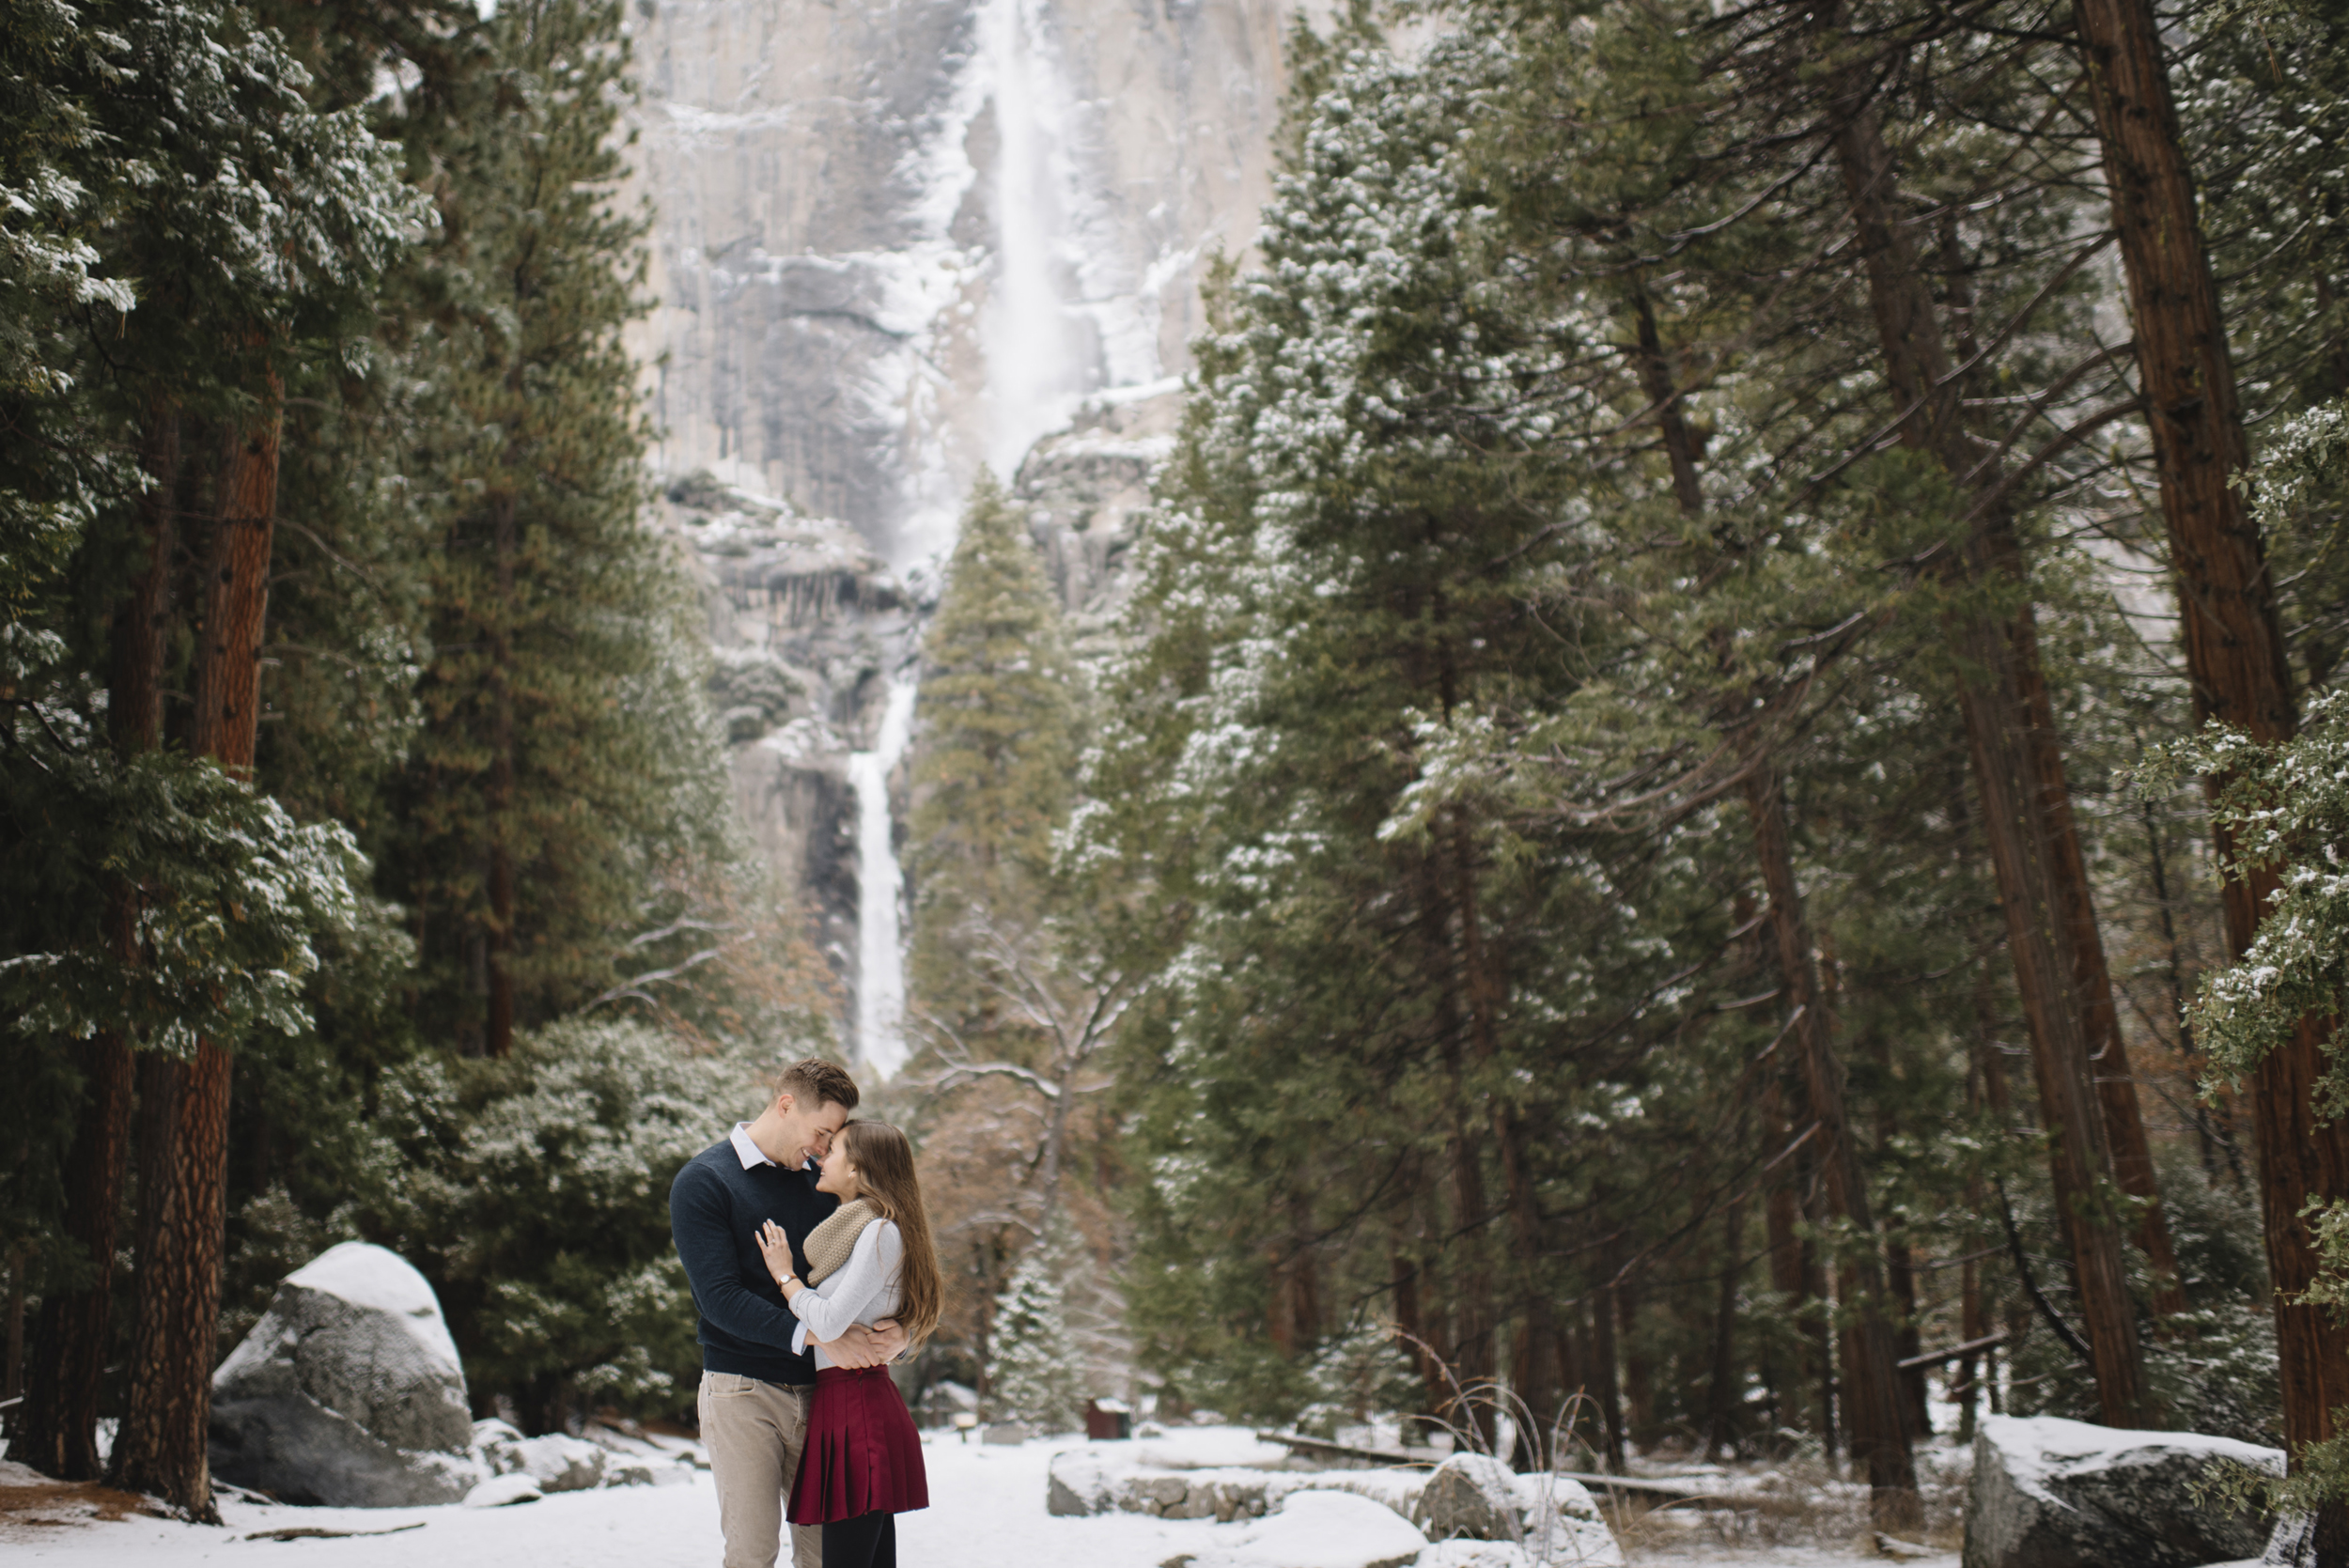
60,1417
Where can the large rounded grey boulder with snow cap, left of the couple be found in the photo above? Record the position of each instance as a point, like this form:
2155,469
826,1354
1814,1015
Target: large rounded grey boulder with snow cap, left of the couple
349,1391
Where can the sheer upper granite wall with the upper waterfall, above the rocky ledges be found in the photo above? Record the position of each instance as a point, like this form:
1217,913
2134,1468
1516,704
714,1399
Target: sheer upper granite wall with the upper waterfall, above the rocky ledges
894,243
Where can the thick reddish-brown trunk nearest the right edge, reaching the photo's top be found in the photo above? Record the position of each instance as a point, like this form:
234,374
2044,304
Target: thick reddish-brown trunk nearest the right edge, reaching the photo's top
2233,637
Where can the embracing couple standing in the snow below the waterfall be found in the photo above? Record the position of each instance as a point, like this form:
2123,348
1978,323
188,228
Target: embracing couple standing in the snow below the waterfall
812,1269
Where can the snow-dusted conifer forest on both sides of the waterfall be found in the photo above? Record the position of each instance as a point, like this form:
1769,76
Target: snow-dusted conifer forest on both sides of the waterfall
1702,816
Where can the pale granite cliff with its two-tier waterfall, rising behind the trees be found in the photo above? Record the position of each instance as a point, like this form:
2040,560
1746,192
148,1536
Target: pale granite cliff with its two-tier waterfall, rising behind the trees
896,243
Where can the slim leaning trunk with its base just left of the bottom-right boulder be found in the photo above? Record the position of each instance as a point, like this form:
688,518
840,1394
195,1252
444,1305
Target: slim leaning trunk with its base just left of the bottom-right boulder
1873,1393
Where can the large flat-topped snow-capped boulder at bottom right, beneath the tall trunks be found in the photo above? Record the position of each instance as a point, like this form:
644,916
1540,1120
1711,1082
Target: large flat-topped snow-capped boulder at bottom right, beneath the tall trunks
2061,1494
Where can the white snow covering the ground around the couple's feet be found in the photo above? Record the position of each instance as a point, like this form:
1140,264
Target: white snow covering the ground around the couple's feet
985,1513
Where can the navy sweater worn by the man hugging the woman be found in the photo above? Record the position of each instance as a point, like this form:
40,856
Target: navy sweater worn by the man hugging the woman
715,1212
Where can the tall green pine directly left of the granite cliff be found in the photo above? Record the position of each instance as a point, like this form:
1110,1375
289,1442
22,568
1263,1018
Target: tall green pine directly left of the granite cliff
565,769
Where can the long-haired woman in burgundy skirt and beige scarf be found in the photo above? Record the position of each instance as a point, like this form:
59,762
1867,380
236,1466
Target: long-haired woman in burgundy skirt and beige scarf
873,1259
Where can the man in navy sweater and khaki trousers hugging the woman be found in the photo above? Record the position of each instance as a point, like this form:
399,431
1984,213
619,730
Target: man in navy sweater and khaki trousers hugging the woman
755,1391
